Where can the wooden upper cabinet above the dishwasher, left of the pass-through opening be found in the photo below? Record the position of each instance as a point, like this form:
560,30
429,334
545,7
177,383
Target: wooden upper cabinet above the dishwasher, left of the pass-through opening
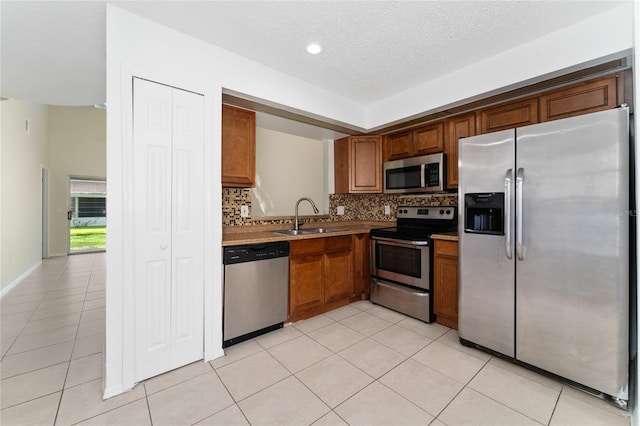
238,147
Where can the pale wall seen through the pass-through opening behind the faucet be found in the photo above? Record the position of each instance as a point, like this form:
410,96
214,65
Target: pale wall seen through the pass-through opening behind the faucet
287,167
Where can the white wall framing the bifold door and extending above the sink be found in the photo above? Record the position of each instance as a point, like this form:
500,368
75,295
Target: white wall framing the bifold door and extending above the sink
139,47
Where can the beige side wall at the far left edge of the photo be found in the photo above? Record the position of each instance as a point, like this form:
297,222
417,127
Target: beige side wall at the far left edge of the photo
22,156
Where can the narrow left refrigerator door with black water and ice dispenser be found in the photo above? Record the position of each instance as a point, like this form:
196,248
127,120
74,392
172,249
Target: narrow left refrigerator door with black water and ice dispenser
487,295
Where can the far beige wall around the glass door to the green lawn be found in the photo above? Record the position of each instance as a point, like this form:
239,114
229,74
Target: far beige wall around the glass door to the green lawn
77,138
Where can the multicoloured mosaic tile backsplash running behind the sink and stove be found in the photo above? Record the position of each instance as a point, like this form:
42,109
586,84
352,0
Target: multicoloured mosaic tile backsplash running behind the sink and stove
369,207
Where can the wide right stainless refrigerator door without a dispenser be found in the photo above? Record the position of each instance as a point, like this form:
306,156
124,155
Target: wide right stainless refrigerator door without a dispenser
573,253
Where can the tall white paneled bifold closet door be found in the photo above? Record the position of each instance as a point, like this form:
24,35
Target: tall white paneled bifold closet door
168,218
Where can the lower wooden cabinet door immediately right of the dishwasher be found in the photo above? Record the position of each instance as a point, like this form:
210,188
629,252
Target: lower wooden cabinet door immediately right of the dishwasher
306,283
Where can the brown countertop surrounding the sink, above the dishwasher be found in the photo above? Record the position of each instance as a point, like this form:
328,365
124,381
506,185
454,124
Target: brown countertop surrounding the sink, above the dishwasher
238,235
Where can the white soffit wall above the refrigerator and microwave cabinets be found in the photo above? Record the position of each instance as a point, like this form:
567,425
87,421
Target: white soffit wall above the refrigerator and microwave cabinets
605,34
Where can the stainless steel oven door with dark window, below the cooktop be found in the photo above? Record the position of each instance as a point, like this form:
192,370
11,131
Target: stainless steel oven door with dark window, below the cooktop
405,262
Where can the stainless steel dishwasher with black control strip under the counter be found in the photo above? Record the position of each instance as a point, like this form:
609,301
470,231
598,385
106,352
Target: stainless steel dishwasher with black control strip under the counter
256,290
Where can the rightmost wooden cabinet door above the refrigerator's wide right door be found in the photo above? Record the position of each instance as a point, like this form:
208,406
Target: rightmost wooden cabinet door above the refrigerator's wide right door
592,96
